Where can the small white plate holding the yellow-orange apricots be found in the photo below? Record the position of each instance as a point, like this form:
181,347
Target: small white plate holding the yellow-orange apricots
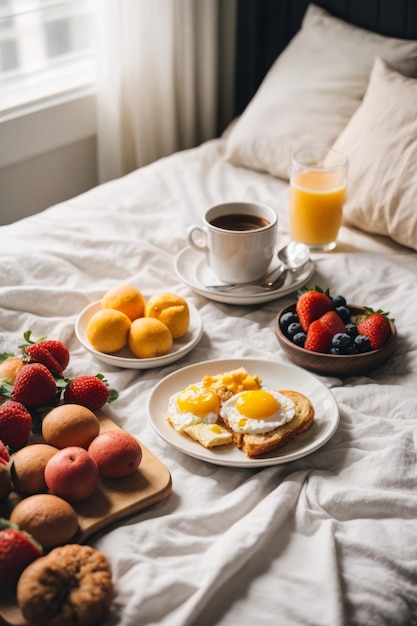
124,358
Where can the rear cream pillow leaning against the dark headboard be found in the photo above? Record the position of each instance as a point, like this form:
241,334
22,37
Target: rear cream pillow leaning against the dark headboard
311,91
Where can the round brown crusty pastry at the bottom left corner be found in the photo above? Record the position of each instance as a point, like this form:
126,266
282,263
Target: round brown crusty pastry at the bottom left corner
70,586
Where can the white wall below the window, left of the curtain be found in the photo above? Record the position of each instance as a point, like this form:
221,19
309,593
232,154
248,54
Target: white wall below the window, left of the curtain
47,156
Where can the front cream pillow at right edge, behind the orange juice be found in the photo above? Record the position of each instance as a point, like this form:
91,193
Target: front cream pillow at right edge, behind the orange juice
381,142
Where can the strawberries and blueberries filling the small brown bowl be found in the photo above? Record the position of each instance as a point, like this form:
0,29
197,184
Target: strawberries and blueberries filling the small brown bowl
325,324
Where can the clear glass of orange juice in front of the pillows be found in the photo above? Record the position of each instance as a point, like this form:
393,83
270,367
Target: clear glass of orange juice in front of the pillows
317,198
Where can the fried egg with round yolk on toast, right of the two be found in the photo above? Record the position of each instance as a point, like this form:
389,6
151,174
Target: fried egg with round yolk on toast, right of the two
257,411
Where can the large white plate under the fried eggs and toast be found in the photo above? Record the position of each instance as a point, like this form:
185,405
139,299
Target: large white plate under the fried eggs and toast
276,375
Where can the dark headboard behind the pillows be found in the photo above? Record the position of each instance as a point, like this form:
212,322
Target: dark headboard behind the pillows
264,28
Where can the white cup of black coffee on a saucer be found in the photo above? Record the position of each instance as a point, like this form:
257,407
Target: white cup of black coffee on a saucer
238,240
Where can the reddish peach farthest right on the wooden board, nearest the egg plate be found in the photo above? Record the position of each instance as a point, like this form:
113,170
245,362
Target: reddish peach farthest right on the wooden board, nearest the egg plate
116,452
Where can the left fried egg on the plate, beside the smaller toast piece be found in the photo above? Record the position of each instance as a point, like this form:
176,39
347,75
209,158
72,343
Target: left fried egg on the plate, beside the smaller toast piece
195,404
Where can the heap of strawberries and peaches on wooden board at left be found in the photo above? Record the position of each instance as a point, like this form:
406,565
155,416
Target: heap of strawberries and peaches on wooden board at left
41,477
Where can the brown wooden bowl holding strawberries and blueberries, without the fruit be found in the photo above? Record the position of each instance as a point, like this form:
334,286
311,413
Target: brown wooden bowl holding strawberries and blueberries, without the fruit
331,364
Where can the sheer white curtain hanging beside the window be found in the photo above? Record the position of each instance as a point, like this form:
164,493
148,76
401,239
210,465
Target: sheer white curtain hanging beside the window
158,77
